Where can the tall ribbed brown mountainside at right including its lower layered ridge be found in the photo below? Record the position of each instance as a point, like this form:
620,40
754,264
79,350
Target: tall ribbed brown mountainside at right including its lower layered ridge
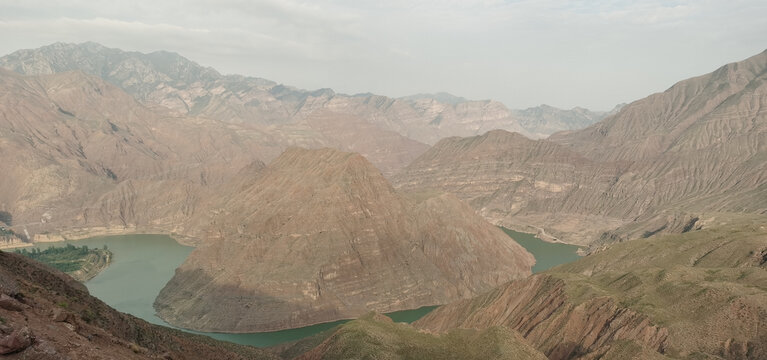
659,164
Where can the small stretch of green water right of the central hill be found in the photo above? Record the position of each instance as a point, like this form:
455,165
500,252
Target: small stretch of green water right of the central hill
547,255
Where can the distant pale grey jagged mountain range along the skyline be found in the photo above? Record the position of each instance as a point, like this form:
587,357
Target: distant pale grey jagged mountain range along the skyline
171,81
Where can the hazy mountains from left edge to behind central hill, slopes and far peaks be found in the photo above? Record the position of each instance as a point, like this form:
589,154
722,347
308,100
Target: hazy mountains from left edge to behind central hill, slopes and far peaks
190,130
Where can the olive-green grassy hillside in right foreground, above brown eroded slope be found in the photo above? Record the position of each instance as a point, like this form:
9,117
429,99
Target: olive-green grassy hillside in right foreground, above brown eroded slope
708,287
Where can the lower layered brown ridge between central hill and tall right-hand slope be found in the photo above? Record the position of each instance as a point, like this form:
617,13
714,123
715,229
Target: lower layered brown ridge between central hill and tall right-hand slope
516,182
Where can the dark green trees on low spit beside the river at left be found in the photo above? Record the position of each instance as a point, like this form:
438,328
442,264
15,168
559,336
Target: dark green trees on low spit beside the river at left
68,259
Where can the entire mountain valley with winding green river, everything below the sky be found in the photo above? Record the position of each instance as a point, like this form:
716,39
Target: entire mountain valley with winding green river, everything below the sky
312,224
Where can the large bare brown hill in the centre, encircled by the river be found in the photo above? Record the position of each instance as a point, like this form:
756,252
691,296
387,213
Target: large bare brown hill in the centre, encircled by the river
320,235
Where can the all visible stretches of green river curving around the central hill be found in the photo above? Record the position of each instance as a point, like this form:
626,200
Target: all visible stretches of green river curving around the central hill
143,264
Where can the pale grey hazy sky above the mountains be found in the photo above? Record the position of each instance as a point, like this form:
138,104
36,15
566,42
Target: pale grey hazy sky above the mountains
563,53
